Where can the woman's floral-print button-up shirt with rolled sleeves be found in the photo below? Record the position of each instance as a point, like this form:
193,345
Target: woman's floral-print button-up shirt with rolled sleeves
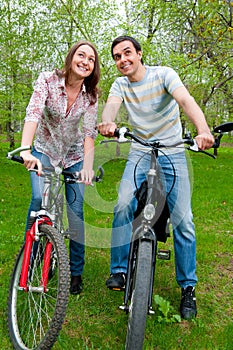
60,133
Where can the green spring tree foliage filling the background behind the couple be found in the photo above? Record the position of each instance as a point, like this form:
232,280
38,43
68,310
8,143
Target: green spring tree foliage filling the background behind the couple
194,37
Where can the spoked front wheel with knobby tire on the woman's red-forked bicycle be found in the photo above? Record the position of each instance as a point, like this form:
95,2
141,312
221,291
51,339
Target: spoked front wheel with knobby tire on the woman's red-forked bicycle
35,319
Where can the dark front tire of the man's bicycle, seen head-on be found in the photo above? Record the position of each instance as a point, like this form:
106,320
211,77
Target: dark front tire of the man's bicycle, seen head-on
138,308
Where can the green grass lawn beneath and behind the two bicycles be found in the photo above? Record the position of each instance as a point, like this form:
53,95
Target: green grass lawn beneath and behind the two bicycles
94,320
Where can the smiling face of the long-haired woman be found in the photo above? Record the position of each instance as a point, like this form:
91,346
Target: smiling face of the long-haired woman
83,62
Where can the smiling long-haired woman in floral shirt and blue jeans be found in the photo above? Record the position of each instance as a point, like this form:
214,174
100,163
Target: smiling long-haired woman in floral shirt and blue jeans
61,118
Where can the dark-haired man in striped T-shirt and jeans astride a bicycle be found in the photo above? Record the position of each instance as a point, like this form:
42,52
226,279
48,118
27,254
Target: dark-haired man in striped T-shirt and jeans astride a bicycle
152,96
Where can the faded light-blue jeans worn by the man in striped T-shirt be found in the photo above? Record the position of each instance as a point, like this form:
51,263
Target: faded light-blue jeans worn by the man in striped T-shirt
179,203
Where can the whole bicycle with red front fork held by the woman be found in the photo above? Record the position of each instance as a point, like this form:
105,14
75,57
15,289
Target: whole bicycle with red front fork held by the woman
39,286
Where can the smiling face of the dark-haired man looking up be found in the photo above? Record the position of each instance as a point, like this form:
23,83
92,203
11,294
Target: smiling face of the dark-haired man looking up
128,60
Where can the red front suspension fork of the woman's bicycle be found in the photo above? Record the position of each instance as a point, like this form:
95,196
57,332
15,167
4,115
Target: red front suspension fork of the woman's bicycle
31,237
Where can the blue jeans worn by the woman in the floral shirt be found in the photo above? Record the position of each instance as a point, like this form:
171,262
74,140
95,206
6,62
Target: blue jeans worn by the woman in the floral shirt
74,198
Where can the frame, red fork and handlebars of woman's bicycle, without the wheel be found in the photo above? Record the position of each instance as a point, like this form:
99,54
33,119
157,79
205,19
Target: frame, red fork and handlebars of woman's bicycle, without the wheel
50,214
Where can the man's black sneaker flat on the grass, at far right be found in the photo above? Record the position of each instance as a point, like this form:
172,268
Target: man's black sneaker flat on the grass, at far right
188,308
